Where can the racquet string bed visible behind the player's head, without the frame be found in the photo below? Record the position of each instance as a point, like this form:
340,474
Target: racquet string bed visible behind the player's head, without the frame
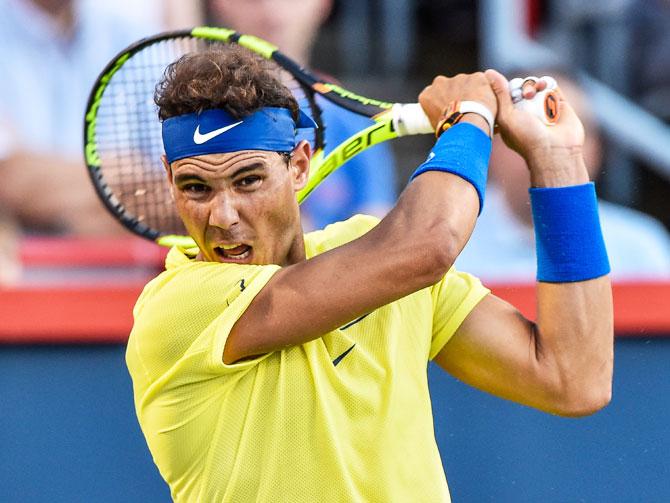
129,142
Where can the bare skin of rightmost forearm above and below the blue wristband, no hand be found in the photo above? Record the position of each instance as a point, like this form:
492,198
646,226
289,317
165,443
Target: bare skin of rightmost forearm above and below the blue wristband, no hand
574,323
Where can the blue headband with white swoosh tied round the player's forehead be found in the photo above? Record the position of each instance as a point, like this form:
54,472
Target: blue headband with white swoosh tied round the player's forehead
216,131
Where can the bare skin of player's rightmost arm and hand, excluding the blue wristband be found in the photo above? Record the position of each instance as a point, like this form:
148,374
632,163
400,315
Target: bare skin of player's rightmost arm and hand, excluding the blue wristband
563,363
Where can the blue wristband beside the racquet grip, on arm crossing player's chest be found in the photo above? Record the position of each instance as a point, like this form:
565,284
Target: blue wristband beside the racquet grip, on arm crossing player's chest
462,150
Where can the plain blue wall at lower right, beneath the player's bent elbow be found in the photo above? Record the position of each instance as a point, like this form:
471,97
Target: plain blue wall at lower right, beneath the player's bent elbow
495,450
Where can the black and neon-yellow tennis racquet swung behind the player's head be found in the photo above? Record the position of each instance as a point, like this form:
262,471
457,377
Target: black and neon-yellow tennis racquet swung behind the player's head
122,133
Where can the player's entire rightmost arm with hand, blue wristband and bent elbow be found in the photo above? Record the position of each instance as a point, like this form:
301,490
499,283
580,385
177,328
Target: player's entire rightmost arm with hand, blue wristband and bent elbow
562,363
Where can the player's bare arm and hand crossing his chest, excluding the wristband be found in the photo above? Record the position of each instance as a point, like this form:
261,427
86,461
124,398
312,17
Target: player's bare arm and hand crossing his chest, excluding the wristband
411,248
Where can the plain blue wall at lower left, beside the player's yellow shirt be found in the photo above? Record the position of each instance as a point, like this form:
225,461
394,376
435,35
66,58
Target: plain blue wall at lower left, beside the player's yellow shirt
68,430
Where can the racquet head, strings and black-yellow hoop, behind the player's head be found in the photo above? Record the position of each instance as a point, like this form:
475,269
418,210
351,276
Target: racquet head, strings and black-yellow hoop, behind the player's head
122,135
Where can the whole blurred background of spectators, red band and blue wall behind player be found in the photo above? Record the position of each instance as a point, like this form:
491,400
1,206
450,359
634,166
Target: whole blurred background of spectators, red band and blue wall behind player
69,273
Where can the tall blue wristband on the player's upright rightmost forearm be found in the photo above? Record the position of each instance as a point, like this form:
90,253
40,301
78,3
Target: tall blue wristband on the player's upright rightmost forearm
568,238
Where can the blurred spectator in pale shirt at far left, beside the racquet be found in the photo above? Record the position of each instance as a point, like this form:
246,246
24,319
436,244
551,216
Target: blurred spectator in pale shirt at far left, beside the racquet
51,52
